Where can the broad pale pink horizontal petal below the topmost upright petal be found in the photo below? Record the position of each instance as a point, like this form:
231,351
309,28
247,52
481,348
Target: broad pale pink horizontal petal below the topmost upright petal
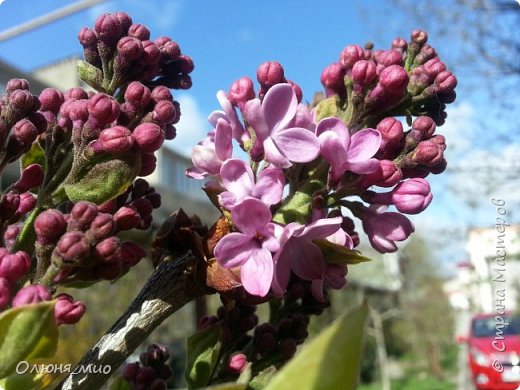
297,144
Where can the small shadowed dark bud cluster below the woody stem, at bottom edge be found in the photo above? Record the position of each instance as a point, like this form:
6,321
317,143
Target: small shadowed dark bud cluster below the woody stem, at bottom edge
152,370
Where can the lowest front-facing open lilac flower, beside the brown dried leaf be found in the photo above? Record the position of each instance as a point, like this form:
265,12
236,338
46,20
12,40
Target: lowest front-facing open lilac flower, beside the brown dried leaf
251,247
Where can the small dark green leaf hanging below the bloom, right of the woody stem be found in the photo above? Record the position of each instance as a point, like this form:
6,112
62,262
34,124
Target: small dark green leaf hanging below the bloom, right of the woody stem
203,353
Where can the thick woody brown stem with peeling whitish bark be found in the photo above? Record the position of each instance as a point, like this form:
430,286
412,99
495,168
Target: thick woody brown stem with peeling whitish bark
170,287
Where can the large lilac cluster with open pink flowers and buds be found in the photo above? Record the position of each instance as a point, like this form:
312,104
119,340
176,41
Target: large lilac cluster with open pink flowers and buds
290,205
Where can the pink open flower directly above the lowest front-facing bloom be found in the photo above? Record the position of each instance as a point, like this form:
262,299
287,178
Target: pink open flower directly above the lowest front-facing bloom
238,178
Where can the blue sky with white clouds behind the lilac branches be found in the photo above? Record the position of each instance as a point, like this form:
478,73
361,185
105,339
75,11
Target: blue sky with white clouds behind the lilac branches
229,39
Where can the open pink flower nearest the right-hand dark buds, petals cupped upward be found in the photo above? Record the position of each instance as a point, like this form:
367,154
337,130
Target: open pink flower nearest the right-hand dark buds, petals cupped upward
345,152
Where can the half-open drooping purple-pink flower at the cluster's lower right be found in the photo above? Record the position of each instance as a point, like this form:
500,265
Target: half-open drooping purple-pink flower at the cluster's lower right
384,228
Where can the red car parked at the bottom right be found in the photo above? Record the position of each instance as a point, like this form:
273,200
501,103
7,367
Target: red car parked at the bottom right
494,351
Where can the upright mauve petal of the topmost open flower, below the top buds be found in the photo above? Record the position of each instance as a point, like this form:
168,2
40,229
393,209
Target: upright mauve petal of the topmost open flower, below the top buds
279,106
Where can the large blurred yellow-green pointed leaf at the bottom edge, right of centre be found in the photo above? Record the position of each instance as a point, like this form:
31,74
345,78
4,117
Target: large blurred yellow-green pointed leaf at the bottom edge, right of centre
330,361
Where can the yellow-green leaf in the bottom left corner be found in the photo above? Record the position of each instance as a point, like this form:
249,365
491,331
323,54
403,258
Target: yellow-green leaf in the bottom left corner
27,331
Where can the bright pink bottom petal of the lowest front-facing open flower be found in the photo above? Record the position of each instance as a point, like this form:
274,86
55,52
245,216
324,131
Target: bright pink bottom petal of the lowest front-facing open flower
257,273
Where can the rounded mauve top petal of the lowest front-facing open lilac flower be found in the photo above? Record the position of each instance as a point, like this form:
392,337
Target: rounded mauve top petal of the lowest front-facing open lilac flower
251,216
